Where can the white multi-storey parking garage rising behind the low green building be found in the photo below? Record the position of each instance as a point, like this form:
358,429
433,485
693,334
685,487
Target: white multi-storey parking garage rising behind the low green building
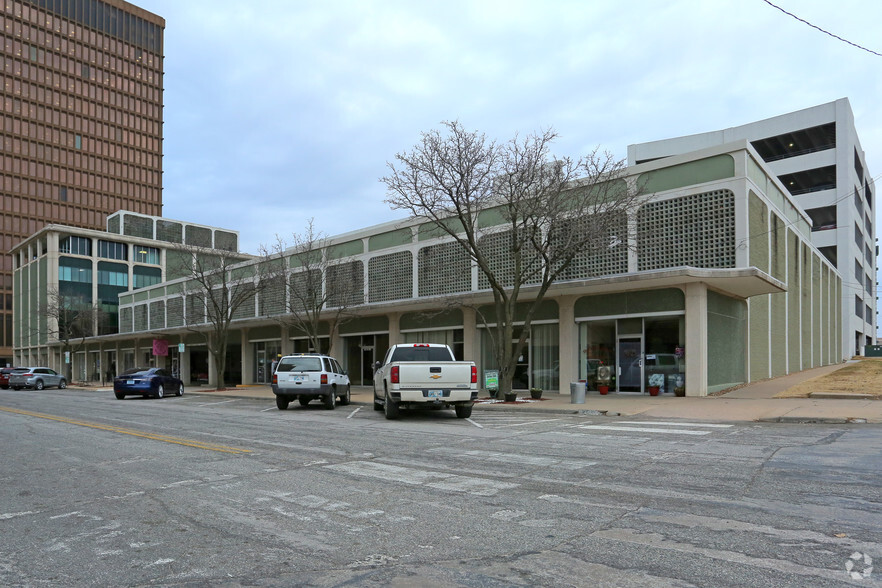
817,156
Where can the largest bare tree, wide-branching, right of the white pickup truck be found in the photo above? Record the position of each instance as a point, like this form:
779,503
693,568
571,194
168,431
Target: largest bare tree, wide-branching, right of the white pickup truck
521,215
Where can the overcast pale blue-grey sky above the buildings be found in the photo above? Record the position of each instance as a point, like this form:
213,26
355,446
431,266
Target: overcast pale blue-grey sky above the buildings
277,111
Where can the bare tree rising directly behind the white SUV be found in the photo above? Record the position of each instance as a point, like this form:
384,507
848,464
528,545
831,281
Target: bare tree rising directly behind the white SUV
321,290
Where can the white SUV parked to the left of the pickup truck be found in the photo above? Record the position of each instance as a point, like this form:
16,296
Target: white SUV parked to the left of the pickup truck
308,376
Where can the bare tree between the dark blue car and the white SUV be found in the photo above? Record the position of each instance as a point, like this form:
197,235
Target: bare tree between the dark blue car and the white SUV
222,286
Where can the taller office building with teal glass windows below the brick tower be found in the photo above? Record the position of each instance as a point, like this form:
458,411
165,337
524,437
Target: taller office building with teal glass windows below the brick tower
87,268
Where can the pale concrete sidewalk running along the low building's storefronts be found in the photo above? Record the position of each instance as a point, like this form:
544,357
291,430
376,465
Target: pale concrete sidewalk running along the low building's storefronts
753,402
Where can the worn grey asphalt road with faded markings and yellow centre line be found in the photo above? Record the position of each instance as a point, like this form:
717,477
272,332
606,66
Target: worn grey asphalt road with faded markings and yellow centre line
199,491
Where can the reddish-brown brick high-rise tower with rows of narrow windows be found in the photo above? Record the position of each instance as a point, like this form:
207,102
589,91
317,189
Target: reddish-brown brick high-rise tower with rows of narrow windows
80,120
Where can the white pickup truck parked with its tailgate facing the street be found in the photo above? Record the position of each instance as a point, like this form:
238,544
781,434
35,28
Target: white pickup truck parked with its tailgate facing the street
424,374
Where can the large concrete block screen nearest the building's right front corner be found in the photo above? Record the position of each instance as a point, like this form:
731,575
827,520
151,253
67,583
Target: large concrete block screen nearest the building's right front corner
696,230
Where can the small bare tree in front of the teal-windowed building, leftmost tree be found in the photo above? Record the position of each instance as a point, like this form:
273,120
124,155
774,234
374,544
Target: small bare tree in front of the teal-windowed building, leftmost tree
70,320
